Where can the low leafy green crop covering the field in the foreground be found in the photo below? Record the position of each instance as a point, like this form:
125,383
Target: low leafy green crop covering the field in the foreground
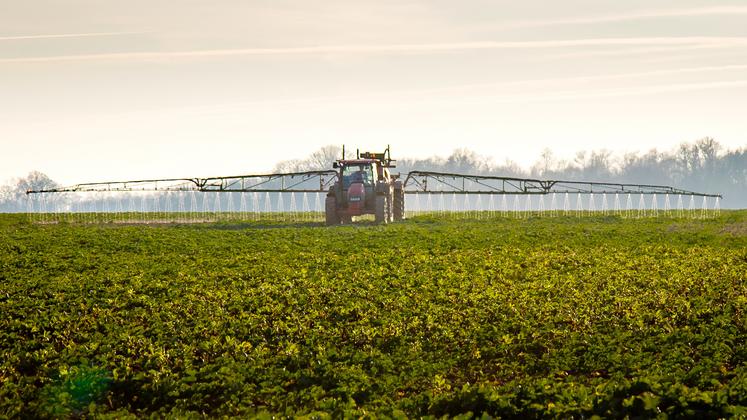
548,317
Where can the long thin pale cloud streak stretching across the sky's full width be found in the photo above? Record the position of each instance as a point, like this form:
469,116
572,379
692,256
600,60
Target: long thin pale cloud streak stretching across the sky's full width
393,48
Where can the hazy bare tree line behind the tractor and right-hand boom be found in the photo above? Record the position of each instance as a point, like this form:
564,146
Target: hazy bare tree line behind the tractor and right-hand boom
703,165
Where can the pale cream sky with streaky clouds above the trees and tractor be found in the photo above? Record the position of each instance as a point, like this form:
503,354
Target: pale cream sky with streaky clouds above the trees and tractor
98,90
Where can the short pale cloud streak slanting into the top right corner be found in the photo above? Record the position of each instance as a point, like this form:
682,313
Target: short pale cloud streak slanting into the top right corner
651,14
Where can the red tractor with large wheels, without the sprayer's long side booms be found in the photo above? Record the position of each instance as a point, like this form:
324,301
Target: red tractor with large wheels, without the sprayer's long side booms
365,186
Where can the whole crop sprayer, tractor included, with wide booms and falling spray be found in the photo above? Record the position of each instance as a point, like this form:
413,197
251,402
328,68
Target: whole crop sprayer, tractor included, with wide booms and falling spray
360,186
